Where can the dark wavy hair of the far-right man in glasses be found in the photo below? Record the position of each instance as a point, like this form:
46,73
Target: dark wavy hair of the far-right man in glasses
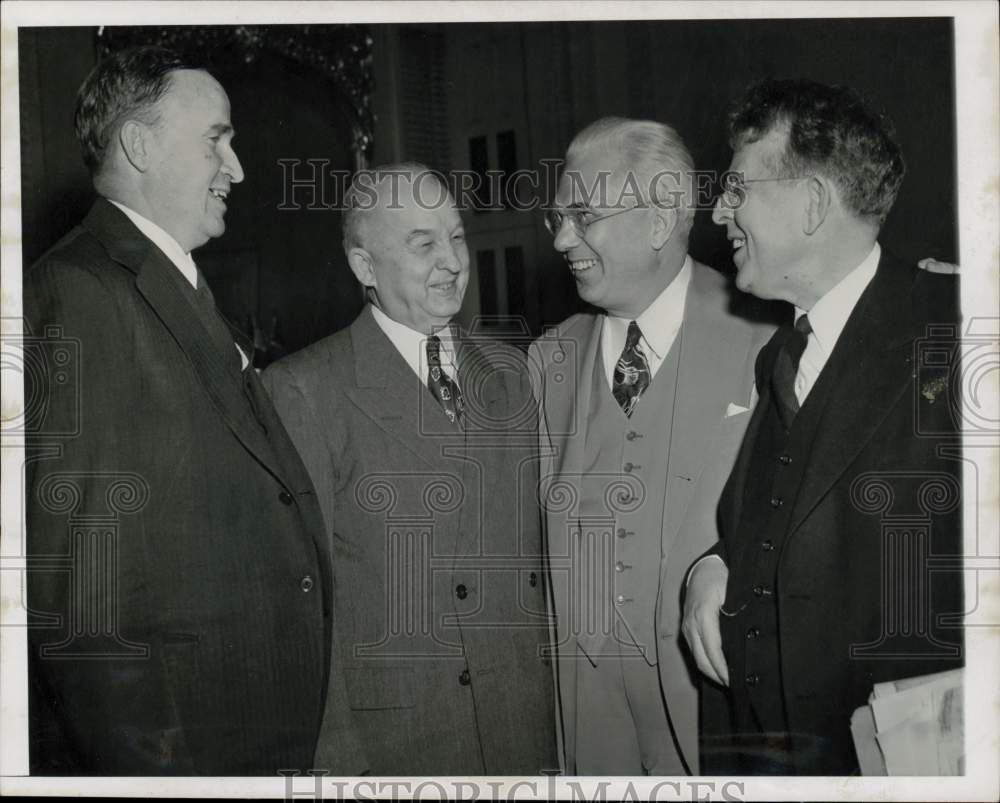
832,130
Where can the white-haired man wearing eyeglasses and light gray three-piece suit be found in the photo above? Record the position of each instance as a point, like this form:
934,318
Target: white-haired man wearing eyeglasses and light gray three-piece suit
643,407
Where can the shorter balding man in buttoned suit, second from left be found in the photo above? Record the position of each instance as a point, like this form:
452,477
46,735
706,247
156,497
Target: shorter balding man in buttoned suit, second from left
421,444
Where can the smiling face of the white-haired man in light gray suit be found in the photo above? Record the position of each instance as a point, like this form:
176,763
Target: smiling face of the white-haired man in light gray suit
613,262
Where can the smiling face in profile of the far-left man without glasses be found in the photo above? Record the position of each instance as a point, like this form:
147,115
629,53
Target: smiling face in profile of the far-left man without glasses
191,160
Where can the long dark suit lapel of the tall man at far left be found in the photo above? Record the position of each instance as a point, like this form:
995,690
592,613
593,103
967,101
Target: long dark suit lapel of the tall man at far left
156,281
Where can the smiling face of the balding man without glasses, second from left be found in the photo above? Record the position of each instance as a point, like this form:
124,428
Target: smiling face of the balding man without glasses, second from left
414,257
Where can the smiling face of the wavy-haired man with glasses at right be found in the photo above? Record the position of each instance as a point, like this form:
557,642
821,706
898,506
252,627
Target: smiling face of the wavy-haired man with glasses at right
766,229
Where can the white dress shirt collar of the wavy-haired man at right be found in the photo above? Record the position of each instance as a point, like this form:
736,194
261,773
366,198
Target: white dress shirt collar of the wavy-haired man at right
828,317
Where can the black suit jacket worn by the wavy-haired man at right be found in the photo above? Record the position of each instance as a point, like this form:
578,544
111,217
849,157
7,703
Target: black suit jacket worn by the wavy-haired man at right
885,461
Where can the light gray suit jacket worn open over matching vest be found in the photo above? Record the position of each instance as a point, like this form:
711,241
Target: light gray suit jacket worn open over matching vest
712,407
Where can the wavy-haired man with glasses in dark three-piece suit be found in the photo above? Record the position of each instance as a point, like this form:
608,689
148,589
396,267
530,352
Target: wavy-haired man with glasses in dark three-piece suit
839,562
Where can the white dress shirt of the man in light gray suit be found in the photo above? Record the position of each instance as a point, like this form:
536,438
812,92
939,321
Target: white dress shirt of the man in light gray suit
659,324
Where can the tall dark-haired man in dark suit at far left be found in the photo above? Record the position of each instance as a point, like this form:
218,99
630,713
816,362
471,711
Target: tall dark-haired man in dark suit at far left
179,583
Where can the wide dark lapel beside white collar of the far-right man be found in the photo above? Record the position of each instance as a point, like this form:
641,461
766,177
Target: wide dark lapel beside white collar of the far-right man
869,369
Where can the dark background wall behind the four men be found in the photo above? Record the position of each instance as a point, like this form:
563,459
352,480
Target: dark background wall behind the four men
500,96
